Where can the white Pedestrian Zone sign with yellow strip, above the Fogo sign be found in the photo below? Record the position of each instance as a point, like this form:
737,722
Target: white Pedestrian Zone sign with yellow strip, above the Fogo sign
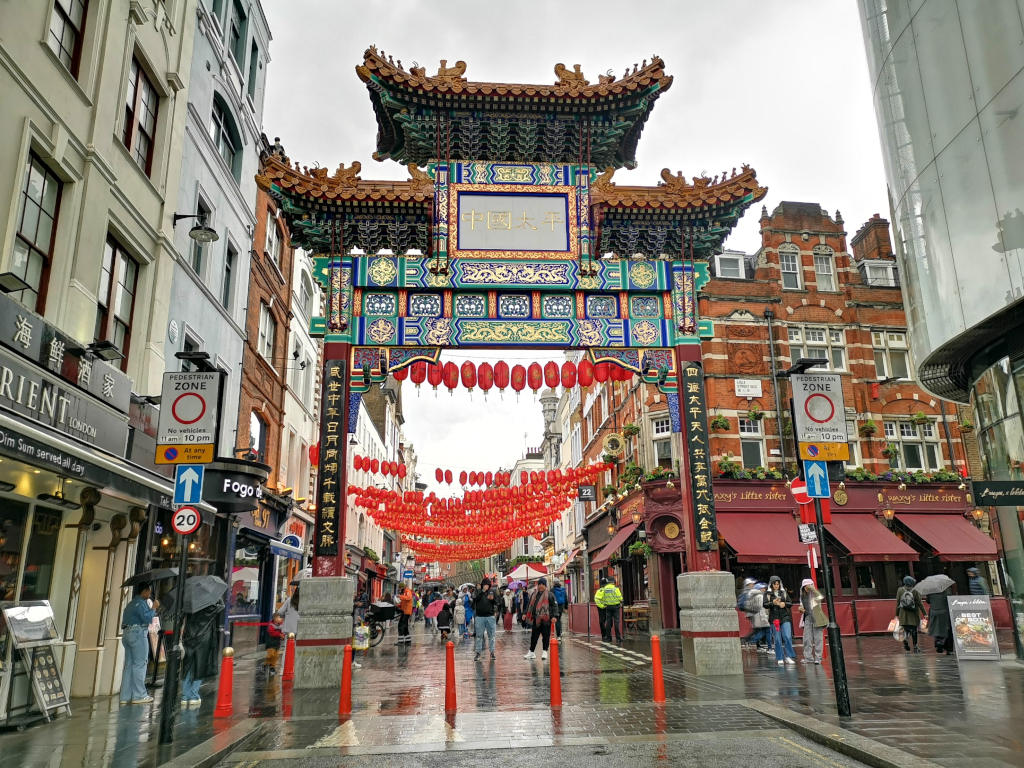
189,417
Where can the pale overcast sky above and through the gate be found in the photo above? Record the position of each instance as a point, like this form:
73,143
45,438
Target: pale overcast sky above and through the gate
781,86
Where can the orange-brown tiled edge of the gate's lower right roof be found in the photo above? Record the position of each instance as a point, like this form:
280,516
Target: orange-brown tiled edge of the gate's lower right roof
676,193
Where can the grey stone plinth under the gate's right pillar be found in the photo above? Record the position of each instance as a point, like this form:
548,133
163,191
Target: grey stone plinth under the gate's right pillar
709,623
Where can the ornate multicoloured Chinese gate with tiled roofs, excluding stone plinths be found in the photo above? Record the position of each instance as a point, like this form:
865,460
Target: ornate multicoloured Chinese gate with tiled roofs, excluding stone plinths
509,233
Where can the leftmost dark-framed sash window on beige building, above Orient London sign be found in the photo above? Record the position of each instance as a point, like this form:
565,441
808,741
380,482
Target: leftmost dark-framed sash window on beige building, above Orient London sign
37,219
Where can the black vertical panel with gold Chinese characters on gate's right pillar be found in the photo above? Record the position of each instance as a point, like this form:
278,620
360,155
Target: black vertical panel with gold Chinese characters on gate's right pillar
696,429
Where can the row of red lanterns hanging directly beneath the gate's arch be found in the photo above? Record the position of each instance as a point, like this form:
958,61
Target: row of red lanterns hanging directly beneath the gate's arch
535,376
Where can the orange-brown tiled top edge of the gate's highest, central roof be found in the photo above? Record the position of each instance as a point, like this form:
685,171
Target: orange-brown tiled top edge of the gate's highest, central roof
572,84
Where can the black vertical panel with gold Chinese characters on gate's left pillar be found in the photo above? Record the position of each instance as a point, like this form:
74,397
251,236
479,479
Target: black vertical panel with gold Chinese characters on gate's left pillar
332,436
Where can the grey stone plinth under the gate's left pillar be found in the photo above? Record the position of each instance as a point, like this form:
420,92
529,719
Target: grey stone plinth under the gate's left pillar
325,628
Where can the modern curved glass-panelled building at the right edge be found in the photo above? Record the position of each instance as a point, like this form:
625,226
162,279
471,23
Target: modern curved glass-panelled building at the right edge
949,83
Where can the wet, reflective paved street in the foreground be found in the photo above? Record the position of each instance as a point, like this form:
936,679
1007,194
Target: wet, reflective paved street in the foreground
923,706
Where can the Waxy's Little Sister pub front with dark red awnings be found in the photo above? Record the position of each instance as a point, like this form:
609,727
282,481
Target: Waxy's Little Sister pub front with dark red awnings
879,534
